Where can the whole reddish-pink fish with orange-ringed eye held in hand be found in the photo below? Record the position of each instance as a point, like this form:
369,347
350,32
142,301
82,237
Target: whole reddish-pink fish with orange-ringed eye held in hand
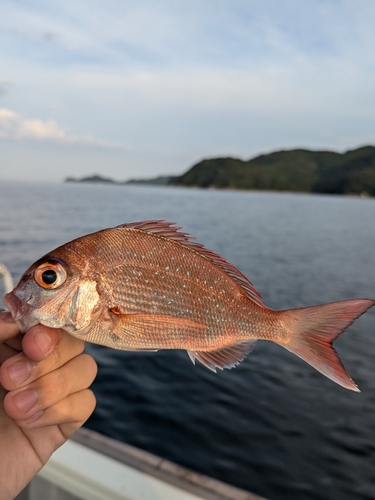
145,286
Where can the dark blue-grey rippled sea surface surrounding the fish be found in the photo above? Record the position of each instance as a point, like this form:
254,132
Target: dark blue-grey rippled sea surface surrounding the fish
273,425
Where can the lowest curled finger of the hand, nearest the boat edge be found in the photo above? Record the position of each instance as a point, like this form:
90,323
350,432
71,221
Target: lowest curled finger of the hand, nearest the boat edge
69,413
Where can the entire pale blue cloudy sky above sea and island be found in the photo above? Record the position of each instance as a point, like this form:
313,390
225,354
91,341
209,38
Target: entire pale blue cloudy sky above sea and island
131,89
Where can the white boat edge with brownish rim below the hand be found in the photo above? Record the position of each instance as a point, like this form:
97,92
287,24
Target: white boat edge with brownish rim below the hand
91,466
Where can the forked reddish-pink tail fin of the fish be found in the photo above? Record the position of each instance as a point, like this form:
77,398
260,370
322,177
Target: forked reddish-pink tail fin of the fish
315,328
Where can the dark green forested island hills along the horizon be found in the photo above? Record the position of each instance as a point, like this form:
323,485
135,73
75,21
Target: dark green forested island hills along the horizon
298,170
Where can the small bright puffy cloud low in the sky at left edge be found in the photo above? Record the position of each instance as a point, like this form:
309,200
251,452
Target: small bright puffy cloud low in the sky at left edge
13,126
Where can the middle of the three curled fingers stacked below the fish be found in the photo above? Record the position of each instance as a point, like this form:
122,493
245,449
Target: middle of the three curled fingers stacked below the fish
53,387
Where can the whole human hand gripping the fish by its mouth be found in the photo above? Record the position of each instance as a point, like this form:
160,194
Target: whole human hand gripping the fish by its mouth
47,377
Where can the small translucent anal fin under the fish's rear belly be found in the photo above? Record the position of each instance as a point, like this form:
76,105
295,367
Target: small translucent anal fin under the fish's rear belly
226,357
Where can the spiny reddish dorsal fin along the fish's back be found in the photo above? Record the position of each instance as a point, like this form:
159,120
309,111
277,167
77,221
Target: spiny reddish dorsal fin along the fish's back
169,230
